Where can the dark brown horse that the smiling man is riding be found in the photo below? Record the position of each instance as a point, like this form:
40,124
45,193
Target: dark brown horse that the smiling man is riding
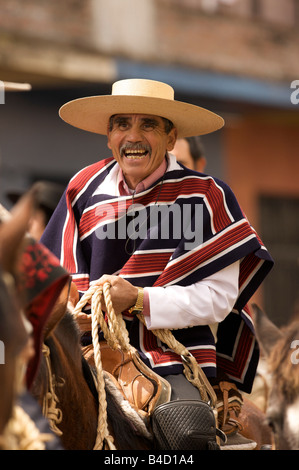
74,409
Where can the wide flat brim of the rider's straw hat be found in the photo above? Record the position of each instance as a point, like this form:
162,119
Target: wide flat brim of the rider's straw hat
92,113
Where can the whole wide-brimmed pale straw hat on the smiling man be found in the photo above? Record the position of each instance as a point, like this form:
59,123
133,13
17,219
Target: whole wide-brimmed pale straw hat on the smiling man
139,96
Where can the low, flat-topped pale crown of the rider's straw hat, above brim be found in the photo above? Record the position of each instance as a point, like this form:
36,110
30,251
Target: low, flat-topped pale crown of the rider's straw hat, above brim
141,87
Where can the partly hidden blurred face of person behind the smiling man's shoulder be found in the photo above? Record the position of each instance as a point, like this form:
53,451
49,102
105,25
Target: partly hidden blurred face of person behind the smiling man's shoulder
190,152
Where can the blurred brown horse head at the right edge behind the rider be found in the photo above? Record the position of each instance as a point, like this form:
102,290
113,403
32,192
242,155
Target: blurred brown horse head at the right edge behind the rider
280,347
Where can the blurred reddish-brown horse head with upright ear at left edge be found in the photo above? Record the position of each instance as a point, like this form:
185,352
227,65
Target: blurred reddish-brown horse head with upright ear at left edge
13,334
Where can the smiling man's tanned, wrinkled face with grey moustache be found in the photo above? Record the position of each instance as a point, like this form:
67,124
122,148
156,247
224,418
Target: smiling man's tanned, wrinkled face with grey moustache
139,144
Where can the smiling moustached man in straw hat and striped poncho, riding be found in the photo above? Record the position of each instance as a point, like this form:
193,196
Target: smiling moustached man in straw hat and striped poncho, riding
191,267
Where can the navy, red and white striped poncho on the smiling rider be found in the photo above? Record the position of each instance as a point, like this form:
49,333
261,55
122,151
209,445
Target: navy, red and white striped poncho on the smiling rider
94,232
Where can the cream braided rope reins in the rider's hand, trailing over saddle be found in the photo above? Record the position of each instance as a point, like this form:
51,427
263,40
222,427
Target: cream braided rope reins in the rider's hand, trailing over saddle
117,337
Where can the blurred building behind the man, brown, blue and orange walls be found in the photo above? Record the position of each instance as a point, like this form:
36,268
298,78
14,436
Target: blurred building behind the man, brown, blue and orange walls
239,58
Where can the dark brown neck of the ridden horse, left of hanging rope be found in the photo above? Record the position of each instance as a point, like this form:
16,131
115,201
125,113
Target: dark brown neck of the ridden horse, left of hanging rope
65,390
